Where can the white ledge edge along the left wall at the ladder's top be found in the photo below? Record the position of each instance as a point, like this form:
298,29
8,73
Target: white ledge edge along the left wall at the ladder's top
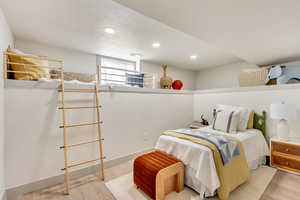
9,83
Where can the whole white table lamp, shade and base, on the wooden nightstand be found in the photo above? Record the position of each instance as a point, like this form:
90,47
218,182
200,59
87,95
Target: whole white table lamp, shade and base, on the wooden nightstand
283,112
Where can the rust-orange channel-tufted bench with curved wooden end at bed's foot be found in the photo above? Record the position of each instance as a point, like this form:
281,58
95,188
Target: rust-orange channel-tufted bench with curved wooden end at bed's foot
157,174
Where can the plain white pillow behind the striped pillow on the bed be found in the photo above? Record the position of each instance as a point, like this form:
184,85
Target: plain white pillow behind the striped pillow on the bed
244,114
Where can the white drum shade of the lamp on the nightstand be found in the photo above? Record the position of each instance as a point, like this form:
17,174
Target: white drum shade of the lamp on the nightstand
283,111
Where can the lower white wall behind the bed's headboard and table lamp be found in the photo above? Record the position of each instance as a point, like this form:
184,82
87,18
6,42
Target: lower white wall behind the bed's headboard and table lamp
258,100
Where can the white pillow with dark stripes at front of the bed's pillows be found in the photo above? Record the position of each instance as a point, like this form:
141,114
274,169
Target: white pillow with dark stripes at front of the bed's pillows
226,121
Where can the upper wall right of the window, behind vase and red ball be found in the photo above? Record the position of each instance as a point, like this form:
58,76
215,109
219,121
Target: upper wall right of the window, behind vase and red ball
188,77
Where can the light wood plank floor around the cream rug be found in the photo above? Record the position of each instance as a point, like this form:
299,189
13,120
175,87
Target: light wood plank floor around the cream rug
284,186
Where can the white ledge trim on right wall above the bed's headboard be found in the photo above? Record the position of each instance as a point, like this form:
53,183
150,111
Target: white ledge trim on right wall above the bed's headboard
248,89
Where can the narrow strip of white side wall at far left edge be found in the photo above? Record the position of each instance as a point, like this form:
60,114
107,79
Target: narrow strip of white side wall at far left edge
6,39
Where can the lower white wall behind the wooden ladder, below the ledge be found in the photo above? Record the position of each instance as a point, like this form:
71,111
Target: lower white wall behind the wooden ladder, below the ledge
132,123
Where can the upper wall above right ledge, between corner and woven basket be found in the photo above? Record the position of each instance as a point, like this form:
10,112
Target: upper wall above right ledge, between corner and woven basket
221,77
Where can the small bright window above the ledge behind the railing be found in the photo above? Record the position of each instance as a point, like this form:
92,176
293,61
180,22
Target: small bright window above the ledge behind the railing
122,72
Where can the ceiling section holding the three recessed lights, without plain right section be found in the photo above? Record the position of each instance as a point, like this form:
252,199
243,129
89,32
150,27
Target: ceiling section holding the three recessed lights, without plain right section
80,24
